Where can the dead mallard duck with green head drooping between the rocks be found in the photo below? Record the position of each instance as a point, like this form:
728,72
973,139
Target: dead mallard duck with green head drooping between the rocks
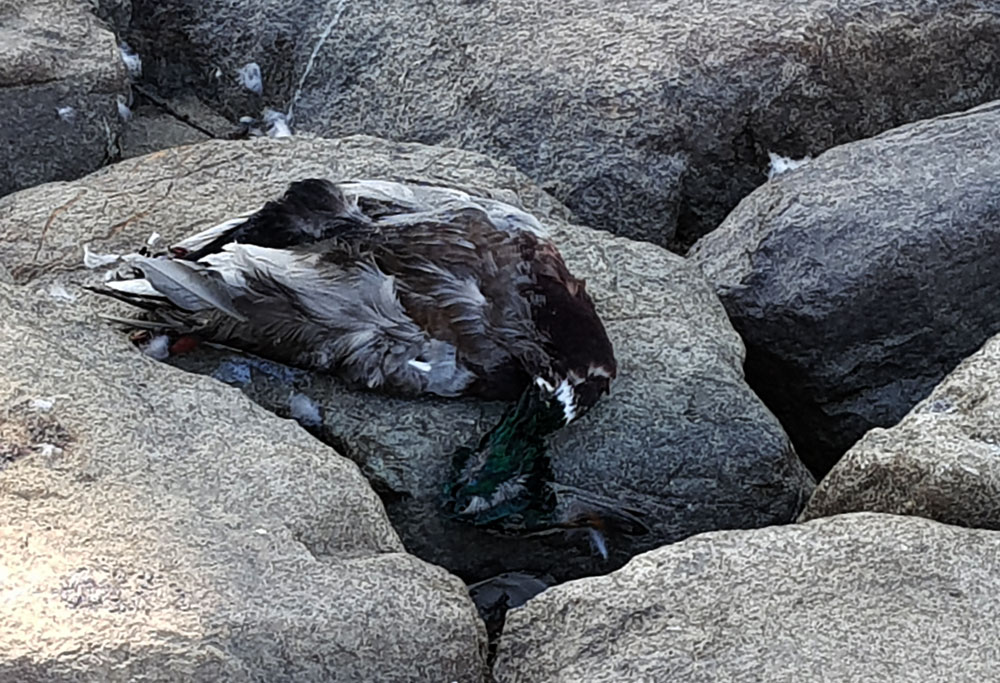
408,289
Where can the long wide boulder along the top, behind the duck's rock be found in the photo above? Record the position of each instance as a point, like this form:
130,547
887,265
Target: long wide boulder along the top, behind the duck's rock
649,118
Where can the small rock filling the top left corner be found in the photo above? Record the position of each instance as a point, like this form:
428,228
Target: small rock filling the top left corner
60,77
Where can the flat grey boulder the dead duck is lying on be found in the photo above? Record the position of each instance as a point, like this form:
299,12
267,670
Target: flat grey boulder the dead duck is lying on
681,436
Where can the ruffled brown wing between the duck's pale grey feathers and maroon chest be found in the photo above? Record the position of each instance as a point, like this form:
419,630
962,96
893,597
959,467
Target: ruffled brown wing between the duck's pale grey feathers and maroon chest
472,285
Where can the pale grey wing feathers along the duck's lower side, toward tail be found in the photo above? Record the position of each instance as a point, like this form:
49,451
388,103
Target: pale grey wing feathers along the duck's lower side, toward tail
298,307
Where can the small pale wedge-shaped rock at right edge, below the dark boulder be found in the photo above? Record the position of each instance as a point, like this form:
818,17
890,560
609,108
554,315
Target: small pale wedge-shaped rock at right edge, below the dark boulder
942,461
